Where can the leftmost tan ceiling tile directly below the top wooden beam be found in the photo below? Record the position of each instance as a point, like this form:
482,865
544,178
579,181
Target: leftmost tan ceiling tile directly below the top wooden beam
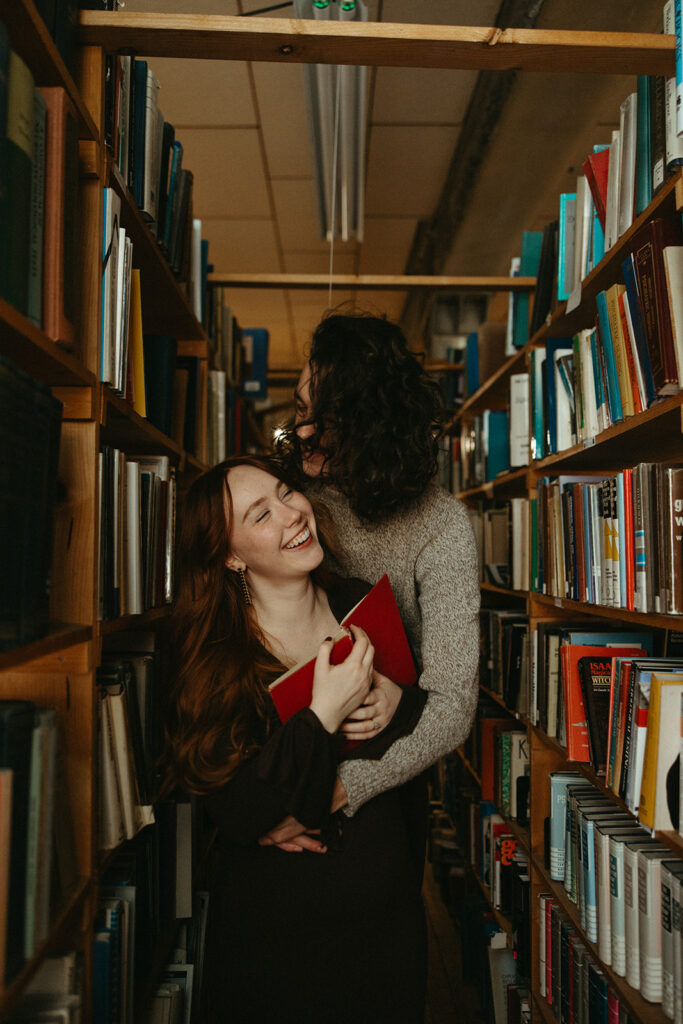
206,94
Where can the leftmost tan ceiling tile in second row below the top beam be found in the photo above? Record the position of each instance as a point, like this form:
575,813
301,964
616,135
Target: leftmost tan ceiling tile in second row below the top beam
230,180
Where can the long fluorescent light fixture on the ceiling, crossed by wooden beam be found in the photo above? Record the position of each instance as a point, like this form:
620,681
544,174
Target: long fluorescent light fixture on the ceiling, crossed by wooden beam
336,101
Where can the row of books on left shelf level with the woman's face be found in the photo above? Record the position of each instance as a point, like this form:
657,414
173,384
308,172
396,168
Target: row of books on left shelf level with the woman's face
137,533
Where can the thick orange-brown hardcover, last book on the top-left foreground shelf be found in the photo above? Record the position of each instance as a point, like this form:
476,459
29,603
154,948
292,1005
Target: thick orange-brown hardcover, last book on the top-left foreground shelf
62,221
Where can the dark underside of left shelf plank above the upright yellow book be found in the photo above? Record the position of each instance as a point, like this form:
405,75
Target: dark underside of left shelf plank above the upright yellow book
165,307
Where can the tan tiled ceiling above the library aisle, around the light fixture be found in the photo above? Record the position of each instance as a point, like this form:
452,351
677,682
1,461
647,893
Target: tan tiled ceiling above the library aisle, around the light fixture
245,138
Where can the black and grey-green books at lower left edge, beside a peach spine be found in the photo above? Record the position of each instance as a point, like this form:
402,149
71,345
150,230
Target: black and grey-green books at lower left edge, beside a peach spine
37,859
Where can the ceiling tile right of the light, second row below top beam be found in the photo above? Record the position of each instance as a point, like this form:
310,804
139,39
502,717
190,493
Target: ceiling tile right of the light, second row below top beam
407,169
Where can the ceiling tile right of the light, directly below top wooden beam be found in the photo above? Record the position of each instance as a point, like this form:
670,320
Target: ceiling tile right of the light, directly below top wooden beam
421,96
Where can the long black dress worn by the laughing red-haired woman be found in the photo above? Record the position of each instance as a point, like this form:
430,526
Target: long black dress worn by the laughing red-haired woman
302,937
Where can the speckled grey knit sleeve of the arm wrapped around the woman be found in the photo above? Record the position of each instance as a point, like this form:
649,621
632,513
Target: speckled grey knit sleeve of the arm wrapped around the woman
447,582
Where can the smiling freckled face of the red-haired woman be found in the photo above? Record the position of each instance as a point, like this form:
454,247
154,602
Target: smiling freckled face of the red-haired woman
272,528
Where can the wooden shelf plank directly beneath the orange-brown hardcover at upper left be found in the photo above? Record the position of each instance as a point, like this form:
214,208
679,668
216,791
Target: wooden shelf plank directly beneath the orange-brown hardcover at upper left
32,351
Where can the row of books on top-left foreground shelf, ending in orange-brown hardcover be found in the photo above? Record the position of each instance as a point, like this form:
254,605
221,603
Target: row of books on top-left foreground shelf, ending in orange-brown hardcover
39,199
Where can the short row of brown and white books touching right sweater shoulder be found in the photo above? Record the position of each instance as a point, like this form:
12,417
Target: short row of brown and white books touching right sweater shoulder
502,532
